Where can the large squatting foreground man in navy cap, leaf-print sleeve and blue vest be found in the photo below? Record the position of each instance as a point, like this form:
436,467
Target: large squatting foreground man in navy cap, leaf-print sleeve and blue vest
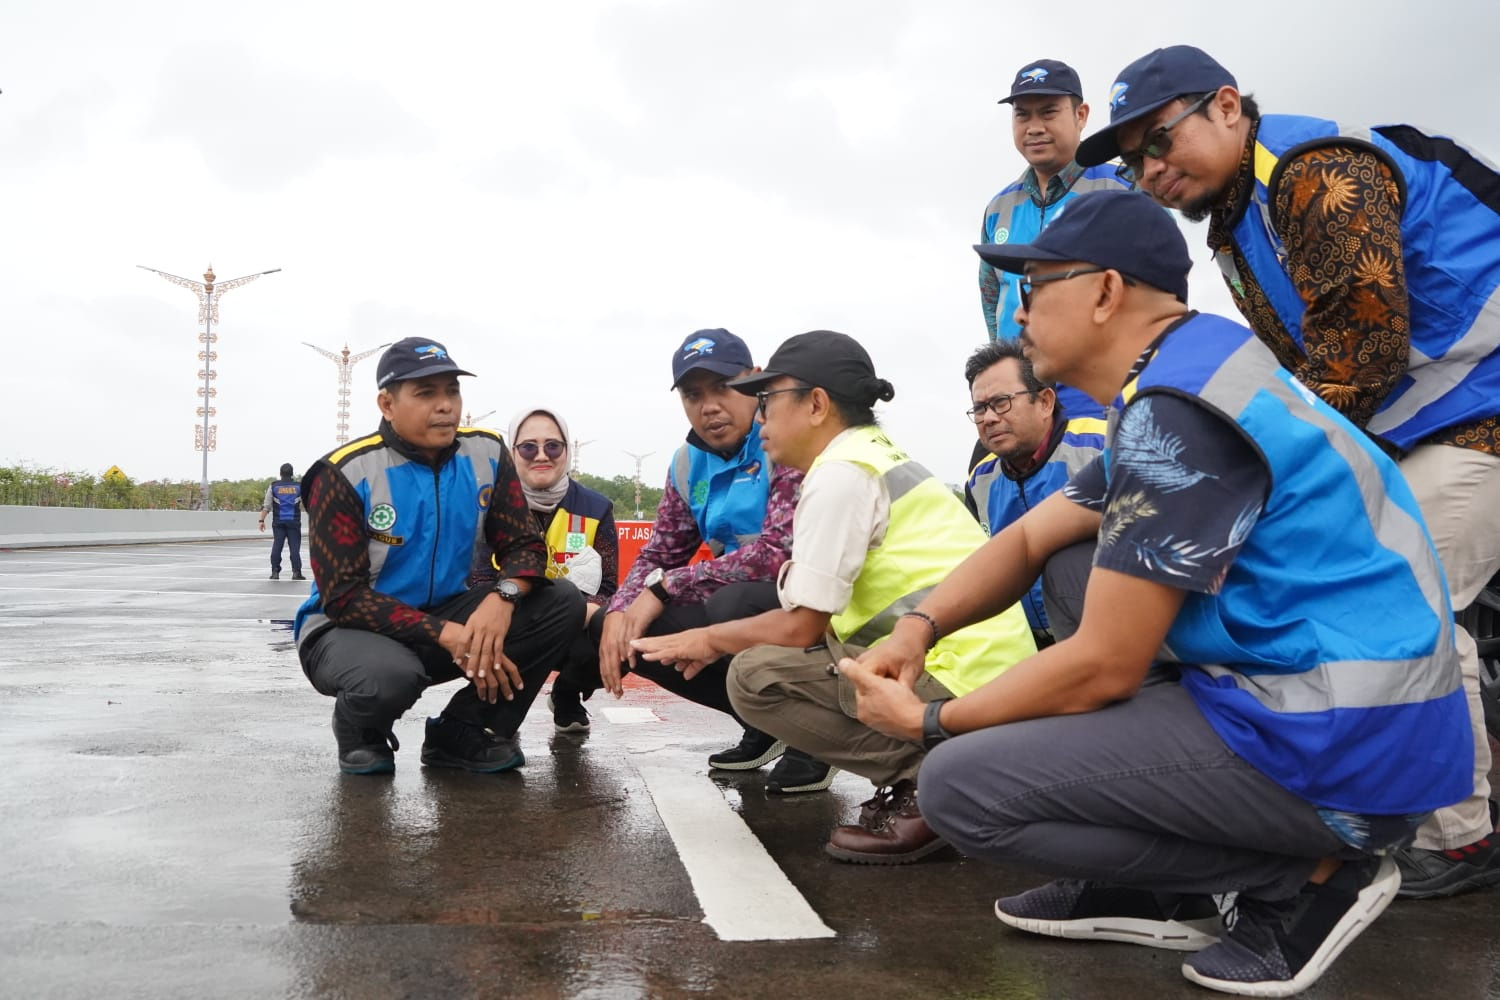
1220,722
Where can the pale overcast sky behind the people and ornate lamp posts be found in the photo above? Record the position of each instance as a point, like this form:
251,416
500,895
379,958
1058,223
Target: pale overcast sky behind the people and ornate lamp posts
562,193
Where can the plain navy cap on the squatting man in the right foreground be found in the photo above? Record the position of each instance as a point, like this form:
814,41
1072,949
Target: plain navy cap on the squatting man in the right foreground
1121,230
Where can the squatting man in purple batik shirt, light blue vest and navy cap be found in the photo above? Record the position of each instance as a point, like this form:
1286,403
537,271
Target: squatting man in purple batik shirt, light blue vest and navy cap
725,493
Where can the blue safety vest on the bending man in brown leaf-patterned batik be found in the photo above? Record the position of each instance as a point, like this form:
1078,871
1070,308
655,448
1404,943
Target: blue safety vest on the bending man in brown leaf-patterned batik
1451,250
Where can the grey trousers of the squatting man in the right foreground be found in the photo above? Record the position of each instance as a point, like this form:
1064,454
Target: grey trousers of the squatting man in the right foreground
1141,794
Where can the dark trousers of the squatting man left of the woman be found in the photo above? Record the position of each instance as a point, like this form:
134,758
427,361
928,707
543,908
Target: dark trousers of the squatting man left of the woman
376,678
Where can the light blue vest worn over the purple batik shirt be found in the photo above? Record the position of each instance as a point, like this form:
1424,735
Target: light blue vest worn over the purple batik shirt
727,497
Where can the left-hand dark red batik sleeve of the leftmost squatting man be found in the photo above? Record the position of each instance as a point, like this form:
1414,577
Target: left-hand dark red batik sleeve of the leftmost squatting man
338,549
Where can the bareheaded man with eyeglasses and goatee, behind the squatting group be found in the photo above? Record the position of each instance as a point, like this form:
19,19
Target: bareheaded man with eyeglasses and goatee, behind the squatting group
1031,451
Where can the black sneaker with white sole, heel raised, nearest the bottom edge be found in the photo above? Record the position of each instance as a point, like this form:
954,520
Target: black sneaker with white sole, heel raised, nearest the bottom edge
1276,950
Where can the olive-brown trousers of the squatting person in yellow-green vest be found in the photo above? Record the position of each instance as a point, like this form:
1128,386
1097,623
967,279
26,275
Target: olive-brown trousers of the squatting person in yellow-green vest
788,692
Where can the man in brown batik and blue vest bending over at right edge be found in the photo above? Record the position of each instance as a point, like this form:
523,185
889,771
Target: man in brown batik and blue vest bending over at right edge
1369,262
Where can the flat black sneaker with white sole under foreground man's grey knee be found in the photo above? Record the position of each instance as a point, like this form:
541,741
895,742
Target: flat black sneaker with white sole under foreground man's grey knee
1100,912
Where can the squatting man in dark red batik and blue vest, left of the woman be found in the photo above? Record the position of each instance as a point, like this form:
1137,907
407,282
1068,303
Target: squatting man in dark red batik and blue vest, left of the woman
397,521
